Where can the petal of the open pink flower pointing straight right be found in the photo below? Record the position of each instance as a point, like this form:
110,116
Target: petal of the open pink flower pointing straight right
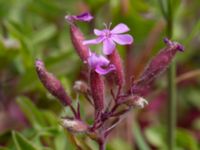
123,39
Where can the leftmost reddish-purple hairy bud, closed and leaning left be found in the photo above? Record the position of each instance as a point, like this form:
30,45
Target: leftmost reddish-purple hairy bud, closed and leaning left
52,84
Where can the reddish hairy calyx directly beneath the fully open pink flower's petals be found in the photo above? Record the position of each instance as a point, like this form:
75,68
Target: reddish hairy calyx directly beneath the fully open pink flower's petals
118,72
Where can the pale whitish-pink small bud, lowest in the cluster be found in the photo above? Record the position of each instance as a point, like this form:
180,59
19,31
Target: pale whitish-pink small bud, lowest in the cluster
76,126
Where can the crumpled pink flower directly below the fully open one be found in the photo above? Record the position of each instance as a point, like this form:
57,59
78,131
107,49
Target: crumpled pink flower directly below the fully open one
100,64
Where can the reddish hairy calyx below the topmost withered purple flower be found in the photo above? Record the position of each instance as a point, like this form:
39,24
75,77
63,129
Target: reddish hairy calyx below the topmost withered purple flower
77,40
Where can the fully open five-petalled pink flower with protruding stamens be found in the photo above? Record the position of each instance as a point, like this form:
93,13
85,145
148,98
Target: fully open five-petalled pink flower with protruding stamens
109,37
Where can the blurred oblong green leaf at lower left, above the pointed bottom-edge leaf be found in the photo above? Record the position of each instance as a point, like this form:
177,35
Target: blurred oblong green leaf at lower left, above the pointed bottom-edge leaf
34,115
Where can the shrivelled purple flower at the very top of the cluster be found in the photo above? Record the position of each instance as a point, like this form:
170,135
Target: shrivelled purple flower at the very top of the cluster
82,17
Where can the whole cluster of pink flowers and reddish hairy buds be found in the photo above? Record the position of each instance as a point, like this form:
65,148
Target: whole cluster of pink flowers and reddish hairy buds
104,67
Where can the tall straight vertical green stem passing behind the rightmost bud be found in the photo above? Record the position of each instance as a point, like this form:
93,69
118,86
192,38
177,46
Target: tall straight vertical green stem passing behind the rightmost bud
171,85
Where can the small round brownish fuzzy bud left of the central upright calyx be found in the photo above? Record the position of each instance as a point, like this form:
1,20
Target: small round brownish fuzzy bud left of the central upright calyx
80,86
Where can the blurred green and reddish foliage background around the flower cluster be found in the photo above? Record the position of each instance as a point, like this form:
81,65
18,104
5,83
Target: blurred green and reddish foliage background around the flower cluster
31,29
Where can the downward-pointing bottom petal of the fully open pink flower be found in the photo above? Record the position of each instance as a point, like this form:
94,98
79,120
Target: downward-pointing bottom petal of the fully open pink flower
108,46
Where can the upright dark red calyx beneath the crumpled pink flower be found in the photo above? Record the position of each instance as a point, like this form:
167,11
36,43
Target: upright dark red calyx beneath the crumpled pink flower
97,90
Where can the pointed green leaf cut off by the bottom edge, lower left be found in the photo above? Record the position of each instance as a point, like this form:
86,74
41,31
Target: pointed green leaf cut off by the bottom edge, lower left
21,143
